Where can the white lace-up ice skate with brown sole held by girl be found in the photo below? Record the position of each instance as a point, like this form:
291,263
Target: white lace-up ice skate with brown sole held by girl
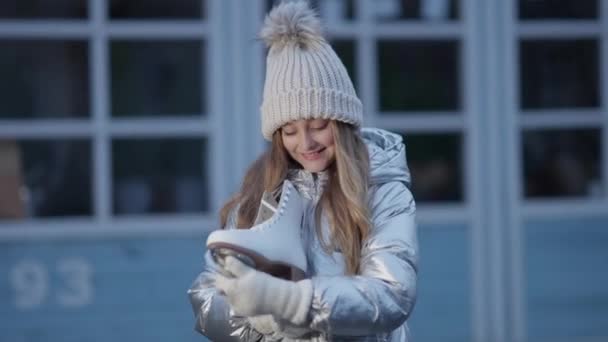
273,246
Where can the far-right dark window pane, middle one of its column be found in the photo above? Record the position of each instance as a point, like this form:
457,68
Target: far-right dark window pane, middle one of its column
558,74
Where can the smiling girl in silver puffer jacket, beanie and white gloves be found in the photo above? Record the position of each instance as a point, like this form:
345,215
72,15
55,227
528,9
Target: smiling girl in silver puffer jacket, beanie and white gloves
359,215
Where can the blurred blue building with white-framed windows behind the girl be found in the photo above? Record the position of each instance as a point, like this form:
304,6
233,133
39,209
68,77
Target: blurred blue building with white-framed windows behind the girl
125,124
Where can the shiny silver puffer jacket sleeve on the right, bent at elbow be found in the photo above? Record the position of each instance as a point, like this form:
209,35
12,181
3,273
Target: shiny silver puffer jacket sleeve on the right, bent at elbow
381,297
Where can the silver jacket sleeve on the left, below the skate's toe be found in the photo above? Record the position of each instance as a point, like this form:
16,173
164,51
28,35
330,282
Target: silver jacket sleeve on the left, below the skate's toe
212,312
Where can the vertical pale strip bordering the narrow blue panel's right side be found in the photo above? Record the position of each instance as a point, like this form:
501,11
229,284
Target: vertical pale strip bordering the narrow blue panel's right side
472,62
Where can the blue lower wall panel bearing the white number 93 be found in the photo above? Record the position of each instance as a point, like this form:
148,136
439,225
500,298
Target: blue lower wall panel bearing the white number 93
98,290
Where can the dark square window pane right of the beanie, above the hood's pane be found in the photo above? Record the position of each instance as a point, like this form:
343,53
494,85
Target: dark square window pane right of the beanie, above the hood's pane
418,76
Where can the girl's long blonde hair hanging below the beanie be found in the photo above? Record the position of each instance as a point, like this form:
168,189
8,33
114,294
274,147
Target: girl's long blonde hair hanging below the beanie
344,200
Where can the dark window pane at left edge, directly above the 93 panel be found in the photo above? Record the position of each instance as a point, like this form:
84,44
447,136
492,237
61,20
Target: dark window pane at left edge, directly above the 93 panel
42,178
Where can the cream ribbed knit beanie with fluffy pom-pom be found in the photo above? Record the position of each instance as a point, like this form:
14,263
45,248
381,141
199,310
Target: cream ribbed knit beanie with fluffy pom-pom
305,79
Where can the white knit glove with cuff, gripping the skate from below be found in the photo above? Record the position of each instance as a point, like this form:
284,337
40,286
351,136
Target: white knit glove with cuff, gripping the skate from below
254,293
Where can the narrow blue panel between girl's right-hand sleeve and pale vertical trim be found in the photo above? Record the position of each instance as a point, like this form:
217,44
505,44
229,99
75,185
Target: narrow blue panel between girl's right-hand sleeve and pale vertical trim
438,304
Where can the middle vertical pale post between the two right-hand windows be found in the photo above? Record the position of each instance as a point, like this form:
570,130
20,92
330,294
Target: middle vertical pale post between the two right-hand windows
494,170
